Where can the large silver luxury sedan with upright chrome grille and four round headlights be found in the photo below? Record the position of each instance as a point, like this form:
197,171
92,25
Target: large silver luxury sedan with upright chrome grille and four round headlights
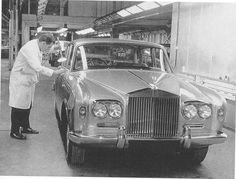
123,94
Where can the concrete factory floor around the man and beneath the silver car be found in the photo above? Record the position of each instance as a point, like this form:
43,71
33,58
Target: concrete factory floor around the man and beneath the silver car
43,154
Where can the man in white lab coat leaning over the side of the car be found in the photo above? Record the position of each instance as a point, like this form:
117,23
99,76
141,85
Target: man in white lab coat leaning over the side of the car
24,76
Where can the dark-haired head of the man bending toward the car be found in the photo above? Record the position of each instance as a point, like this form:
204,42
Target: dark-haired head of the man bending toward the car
45,42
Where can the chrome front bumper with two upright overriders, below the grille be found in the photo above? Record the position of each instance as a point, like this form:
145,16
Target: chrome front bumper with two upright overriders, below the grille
122,141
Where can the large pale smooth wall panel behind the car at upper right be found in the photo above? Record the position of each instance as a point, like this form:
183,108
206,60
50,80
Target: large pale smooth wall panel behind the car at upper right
206,39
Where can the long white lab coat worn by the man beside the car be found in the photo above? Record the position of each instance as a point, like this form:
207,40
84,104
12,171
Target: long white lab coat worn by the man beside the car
24,75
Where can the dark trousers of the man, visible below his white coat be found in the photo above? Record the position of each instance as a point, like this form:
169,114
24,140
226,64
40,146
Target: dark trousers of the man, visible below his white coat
19,118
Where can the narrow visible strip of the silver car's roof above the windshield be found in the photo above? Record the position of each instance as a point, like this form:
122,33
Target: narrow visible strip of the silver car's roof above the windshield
114,40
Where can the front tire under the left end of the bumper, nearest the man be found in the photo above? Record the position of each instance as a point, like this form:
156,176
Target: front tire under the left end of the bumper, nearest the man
75,155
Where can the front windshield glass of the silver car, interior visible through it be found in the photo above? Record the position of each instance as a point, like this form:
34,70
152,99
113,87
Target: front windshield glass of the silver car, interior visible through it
130,56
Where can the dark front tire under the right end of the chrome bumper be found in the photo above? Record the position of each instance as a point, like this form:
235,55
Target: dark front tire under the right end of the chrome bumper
195,156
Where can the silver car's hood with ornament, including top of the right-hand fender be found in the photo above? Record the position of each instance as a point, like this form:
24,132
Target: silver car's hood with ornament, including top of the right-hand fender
126,81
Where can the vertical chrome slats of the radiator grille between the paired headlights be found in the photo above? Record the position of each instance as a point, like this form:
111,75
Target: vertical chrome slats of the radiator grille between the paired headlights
153,117
